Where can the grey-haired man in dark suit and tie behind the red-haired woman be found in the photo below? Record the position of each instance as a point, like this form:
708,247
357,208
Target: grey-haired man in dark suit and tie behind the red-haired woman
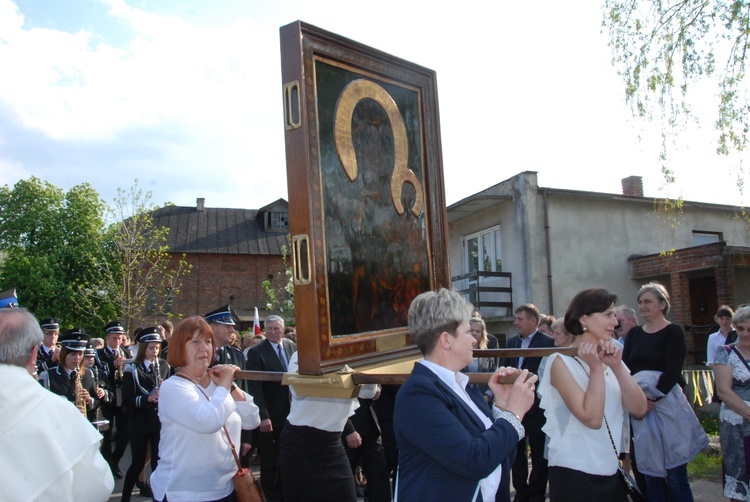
272,399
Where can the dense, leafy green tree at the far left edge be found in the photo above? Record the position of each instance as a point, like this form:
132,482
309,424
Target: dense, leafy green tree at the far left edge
48,238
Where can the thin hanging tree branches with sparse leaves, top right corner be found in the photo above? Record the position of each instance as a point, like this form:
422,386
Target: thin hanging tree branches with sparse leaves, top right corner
666,50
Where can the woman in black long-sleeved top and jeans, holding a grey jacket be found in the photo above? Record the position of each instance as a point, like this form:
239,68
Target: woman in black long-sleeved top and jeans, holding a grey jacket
659,345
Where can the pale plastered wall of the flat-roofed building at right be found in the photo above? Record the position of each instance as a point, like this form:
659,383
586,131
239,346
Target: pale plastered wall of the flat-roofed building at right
591,237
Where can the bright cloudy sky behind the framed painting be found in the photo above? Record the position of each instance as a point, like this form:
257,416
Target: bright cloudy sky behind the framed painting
186,96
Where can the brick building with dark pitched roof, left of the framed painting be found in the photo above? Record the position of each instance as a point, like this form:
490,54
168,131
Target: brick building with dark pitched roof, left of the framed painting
232,251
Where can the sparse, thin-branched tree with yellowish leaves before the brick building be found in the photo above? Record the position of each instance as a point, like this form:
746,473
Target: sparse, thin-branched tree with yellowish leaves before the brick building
138,275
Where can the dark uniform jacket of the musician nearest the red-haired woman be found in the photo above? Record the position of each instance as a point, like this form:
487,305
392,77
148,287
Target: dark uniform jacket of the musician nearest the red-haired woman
137,385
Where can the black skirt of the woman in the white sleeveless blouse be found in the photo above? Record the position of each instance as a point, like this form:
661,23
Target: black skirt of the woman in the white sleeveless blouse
566,485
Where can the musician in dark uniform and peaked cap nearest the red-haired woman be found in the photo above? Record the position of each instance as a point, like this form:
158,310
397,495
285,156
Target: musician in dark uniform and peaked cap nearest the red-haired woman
140,396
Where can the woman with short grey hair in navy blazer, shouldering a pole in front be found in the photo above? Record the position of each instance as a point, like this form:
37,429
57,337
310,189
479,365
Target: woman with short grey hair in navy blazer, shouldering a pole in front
452,446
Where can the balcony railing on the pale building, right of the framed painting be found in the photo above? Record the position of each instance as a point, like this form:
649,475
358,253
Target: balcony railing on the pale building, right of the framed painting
490,292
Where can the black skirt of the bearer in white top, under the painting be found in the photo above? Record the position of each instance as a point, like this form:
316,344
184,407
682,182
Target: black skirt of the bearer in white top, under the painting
314,466
